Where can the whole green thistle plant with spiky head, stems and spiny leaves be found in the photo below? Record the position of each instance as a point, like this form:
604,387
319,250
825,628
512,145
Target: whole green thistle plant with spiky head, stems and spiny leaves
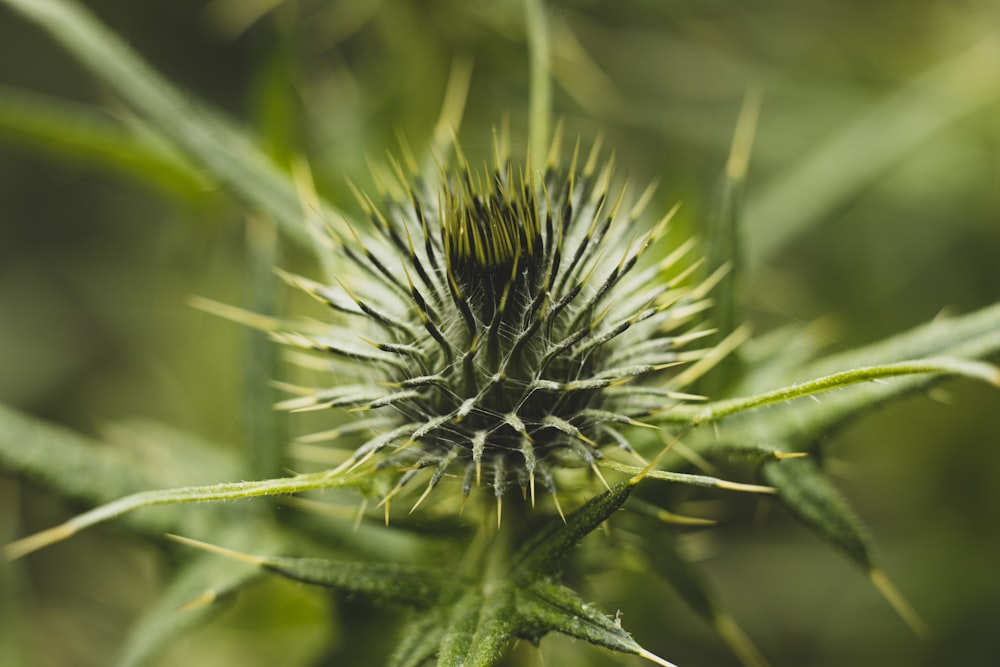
526,354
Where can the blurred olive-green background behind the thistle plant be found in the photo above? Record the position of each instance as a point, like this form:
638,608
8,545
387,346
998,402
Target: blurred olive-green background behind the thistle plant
872,204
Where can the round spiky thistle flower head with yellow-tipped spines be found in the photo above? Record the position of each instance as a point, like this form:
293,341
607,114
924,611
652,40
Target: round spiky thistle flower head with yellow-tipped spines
503,322
